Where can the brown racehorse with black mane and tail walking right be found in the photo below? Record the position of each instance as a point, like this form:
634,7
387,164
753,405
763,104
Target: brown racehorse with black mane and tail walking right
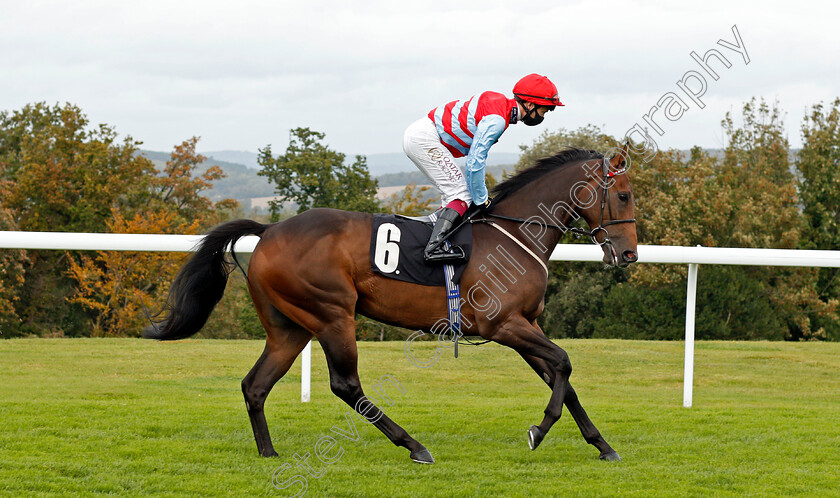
311,274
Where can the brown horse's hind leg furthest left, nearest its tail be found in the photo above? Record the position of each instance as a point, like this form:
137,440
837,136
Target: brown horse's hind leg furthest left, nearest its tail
284,342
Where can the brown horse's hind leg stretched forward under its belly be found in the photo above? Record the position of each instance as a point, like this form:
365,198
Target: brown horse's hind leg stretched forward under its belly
339,343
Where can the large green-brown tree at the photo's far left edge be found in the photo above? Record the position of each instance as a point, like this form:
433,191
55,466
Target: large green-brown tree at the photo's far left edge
61,174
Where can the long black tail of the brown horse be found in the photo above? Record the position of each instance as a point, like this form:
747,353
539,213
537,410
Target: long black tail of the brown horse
201,282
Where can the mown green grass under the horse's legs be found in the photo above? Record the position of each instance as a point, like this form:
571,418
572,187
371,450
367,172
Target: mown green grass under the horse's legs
133,417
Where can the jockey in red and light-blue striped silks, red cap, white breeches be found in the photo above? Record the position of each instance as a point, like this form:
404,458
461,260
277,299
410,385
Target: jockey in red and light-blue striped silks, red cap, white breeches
469,128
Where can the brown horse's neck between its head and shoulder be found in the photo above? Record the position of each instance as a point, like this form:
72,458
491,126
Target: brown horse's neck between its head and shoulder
548,201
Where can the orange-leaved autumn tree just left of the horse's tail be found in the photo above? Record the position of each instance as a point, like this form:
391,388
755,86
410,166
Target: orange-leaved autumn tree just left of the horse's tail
117,287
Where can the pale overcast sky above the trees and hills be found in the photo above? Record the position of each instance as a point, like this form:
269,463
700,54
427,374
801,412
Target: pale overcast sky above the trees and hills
241,74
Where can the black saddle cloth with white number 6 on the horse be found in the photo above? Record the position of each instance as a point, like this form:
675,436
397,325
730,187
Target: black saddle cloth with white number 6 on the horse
396,249
